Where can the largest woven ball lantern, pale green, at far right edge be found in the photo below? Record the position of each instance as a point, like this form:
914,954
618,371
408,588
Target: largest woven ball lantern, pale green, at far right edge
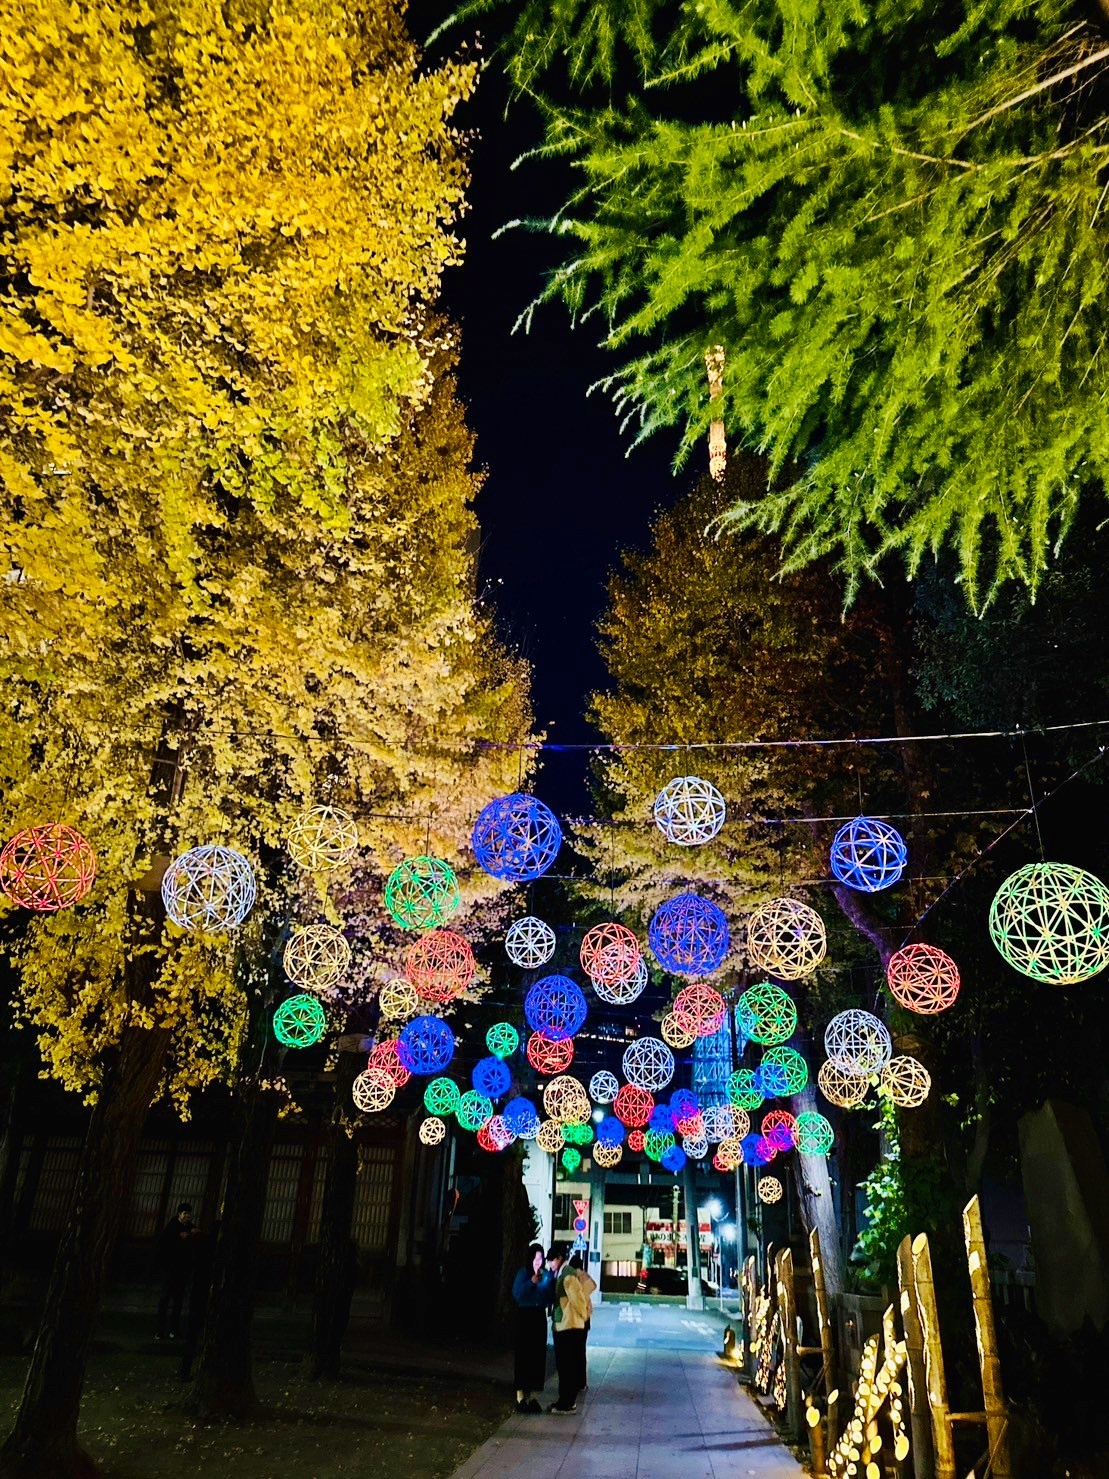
1051,922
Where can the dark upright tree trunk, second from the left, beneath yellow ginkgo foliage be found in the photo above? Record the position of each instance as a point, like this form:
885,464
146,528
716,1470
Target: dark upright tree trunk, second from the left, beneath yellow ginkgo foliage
225,1375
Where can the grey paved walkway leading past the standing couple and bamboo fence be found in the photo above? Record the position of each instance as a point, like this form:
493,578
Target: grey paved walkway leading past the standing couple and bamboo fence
660,1406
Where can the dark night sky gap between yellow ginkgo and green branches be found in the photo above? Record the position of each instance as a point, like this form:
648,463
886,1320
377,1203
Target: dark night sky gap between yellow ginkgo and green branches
561,499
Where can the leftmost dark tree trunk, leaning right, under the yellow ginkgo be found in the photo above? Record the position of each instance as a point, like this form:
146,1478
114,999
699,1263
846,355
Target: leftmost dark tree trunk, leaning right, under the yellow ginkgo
44,1441
